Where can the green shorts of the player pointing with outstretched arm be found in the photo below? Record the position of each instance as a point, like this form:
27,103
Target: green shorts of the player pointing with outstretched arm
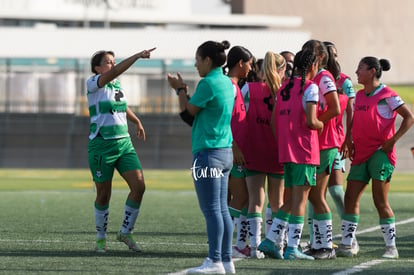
106,155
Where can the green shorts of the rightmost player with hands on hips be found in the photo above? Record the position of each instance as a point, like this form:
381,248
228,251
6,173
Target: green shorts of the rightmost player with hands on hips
377,167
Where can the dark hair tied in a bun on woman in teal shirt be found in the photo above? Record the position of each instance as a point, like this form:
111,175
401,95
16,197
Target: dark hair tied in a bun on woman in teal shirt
215,51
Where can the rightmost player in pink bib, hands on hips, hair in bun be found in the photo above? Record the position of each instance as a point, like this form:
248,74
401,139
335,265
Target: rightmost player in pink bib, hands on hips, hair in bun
371,143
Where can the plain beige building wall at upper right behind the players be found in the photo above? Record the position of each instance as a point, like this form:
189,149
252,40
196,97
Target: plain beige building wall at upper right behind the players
380,28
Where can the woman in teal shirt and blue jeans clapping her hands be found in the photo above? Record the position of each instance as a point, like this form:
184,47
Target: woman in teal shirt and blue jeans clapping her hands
209,113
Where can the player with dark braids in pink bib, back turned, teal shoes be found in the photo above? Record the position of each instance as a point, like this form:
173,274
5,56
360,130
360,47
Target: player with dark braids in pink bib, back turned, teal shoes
296,110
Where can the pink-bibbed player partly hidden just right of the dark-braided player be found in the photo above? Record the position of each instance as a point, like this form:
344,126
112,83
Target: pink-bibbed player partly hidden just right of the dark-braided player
328,144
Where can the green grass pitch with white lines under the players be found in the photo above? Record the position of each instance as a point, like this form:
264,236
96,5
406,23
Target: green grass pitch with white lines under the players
47,227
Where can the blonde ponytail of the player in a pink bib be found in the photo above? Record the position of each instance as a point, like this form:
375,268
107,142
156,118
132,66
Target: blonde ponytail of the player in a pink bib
271,64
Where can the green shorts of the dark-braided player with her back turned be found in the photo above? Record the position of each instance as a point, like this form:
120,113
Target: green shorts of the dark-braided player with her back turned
299,174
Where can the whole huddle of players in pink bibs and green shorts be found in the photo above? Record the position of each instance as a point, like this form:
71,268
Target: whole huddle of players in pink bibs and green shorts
288,127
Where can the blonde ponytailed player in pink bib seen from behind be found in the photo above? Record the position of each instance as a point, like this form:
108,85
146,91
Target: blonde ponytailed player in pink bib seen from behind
261,147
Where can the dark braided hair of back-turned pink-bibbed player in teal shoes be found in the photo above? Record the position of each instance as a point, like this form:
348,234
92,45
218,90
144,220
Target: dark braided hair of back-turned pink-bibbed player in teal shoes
303,60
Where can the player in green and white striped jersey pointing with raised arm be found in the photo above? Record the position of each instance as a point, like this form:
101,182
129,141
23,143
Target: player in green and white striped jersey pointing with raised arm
110,145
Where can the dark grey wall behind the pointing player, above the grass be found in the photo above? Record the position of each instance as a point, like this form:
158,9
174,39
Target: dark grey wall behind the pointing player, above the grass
61,141
